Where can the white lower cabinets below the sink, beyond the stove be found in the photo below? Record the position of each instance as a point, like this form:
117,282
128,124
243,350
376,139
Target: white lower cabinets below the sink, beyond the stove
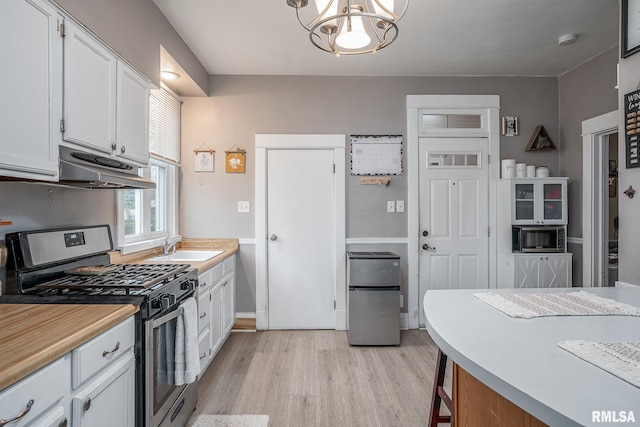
216,308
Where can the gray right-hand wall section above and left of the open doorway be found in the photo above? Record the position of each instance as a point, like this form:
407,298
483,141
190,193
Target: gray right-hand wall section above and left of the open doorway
585,92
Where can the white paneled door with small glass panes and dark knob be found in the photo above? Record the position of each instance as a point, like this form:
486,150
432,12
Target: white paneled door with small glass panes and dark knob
454,214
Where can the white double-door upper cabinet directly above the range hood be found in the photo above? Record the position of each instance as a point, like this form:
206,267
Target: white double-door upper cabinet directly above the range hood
106,102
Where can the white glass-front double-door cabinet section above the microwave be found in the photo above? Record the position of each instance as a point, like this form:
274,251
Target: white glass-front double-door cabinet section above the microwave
538,201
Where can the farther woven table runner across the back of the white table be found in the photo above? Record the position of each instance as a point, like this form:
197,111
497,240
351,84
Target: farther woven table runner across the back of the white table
531,305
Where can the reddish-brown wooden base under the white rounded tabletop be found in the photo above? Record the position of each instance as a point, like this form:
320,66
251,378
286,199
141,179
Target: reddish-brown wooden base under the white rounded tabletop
475,404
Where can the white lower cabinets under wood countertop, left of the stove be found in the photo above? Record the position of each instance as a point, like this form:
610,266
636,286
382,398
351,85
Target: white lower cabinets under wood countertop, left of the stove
93,385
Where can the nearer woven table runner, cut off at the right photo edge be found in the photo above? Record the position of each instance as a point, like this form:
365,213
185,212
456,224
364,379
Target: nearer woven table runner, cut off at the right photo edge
621,359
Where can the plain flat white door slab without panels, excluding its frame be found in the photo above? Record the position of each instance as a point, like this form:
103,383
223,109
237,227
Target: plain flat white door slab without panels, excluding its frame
300,223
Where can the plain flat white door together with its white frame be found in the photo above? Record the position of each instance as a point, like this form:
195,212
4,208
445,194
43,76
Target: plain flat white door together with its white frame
300,232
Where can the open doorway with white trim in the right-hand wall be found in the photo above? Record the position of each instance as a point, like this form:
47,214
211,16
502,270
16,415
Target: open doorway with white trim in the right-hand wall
600,200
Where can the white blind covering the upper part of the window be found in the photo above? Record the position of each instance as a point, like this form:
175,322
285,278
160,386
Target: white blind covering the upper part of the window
164,124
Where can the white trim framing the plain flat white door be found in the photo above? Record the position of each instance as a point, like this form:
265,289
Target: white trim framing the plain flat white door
264,143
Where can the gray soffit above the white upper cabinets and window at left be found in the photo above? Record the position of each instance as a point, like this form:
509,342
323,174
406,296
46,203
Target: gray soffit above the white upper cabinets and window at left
136,29
